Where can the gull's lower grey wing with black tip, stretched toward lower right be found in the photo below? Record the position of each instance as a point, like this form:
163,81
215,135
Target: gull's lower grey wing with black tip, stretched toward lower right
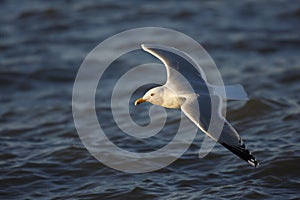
228,137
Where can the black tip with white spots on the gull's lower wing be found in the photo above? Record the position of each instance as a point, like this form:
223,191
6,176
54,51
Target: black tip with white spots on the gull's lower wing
243,153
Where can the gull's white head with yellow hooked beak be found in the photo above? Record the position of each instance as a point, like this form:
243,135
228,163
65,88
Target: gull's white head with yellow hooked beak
154,96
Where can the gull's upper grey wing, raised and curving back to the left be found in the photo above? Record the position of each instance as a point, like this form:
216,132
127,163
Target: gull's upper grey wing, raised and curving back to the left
182,71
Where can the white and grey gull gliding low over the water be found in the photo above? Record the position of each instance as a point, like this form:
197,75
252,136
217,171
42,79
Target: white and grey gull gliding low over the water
195,100
